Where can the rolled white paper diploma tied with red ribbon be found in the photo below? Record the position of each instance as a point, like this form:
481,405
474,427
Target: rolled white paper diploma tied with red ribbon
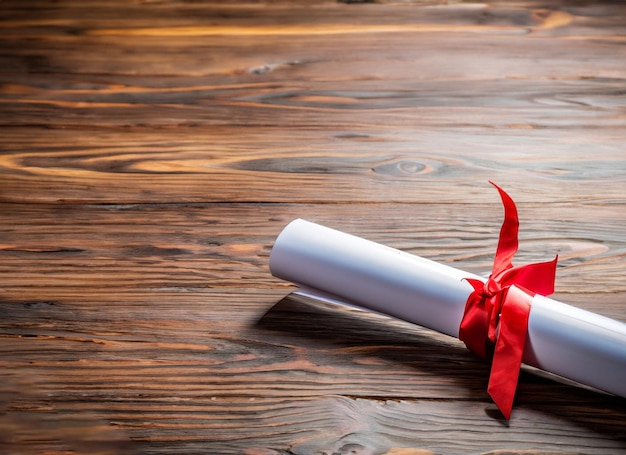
570,342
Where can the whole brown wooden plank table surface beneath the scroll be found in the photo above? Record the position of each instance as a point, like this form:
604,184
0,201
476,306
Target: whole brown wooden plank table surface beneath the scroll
151,152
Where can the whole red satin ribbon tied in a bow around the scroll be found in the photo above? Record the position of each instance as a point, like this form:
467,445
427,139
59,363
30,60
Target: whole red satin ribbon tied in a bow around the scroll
495,322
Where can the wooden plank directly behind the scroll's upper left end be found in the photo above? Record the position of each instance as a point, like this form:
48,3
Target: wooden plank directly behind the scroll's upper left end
216,245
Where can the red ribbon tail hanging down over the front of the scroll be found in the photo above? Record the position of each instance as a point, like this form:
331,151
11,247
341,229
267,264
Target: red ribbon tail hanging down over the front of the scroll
509,349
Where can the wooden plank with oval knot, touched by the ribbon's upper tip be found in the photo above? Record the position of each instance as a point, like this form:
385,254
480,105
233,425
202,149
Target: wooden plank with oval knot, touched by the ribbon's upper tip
222,166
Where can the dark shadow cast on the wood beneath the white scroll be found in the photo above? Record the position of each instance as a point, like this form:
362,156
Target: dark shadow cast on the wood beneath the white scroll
429,352
